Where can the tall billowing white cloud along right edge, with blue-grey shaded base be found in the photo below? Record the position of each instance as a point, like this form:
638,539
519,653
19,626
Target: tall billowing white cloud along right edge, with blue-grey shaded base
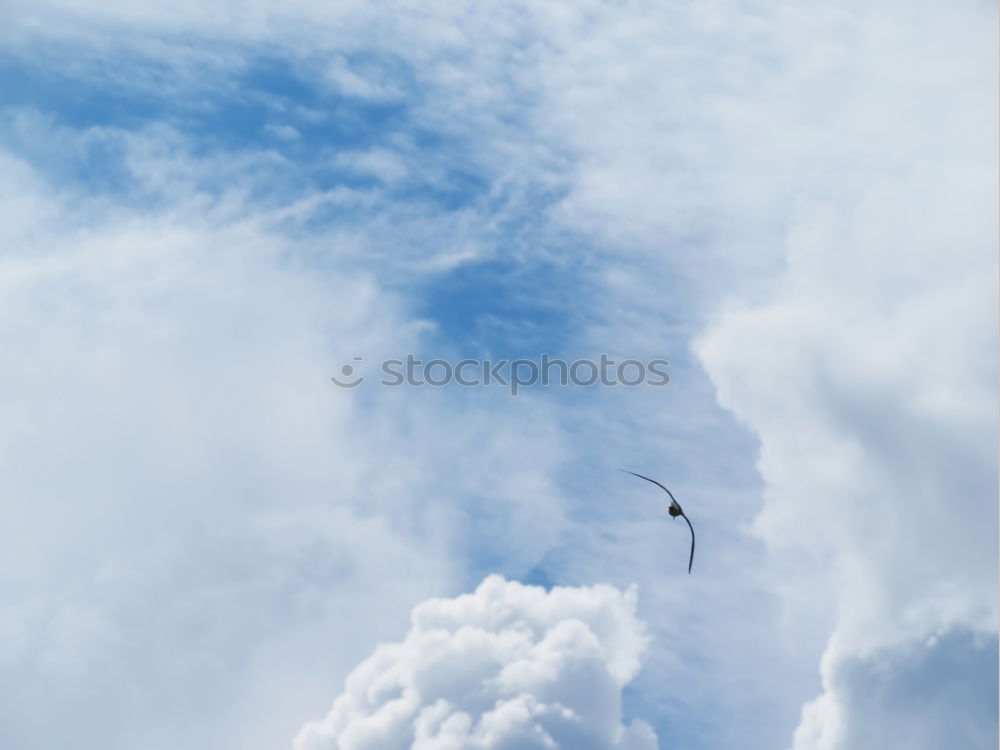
881,472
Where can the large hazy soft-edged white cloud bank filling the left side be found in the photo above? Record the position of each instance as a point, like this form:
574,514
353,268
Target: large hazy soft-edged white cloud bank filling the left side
190,506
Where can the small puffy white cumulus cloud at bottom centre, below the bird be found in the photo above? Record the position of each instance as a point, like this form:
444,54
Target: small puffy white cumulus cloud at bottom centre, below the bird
508,666
